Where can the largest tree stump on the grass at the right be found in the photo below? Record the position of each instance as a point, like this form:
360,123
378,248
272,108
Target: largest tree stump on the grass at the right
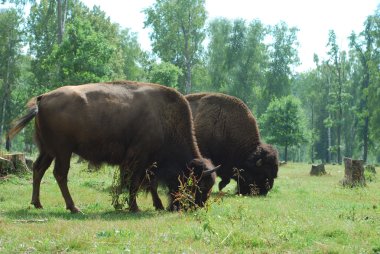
354,173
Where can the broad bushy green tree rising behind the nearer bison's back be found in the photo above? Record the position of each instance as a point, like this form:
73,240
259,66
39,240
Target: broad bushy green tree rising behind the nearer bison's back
93,48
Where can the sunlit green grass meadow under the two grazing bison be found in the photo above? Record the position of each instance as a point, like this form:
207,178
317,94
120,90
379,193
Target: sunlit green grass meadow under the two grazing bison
302,214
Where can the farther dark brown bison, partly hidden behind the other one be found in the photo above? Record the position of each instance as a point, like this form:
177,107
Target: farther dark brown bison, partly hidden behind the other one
227,133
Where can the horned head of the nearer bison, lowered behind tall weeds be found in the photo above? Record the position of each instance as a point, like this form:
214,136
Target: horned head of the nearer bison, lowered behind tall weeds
204,172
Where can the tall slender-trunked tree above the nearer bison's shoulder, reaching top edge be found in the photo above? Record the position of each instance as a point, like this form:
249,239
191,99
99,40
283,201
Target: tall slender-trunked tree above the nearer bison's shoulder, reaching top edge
178,33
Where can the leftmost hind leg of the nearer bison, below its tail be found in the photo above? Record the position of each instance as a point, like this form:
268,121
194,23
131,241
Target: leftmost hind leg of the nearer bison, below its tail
40,166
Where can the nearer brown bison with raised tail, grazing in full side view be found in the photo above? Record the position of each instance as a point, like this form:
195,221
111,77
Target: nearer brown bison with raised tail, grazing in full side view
133,125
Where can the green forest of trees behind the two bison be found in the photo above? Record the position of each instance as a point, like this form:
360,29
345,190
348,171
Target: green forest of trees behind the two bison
322,114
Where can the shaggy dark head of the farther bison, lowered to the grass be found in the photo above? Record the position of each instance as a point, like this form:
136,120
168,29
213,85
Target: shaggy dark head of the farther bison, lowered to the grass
259,171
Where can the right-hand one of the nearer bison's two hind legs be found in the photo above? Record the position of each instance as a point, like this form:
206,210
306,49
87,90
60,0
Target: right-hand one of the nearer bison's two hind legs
61,169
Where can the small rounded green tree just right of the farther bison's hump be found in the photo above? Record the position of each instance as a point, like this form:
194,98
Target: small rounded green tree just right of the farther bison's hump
283,123
